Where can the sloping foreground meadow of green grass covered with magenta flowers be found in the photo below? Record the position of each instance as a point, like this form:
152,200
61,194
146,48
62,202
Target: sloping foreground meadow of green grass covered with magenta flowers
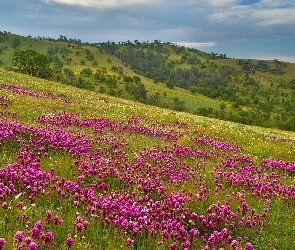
80,170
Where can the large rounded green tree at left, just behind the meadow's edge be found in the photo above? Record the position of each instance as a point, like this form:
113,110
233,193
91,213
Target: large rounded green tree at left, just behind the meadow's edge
32,63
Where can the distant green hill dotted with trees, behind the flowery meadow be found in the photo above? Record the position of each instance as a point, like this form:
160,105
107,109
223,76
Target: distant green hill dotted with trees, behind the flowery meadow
254,92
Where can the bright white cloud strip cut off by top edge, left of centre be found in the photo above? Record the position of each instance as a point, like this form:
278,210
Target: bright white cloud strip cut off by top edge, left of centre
104,3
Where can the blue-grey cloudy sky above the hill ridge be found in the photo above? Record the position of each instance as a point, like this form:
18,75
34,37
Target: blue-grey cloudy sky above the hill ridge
263,29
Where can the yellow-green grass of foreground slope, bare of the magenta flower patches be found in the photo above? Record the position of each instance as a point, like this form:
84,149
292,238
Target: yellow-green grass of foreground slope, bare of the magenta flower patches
256,142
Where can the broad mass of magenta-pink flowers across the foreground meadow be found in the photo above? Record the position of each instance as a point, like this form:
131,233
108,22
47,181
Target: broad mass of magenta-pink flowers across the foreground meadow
139,191
